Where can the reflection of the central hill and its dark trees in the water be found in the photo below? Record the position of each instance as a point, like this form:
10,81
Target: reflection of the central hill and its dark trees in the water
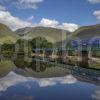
41,69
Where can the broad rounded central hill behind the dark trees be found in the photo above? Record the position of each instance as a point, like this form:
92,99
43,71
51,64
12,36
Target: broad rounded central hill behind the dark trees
51,34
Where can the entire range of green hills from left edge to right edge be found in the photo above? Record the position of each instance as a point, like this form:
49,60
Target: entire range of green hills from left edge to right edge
51,34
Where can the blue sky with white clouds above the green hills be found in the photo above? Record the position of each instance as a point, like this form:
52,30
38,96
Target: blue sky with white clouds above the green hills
63,14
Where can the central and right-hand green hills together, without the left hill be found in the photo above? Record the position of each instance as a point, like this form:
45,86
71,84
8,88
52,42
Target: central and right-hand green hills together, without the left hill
58,36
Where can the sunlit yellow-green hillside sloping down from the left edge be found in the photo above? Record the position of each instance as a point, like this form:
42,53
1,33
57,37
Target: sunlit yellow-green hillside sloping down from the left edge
7,35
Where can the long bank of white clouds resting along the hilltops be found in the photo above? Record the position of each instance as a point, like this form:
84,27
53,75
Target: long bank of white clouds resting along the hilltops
16,23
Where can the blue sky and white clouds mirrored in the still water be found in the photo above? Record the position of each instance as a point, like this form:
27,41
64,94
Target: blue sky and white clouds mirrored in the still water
14,87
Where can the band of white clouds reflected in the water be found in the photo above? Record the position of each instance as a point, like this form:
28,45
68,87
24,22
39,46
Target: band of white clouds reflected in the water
13,79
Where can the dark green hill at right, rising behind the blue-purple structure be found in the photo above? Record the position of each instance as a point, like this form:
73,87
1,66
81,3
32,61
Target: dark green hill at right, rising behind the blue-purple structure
87,32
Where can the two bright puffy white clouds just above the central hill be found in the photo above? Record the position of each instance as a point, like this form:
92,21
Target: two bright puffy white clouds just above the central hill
55,24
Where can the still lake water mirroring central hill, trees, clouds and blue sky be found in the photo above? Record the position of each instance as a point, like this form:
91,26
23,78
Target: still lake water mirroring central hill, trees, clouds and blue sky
38,80
